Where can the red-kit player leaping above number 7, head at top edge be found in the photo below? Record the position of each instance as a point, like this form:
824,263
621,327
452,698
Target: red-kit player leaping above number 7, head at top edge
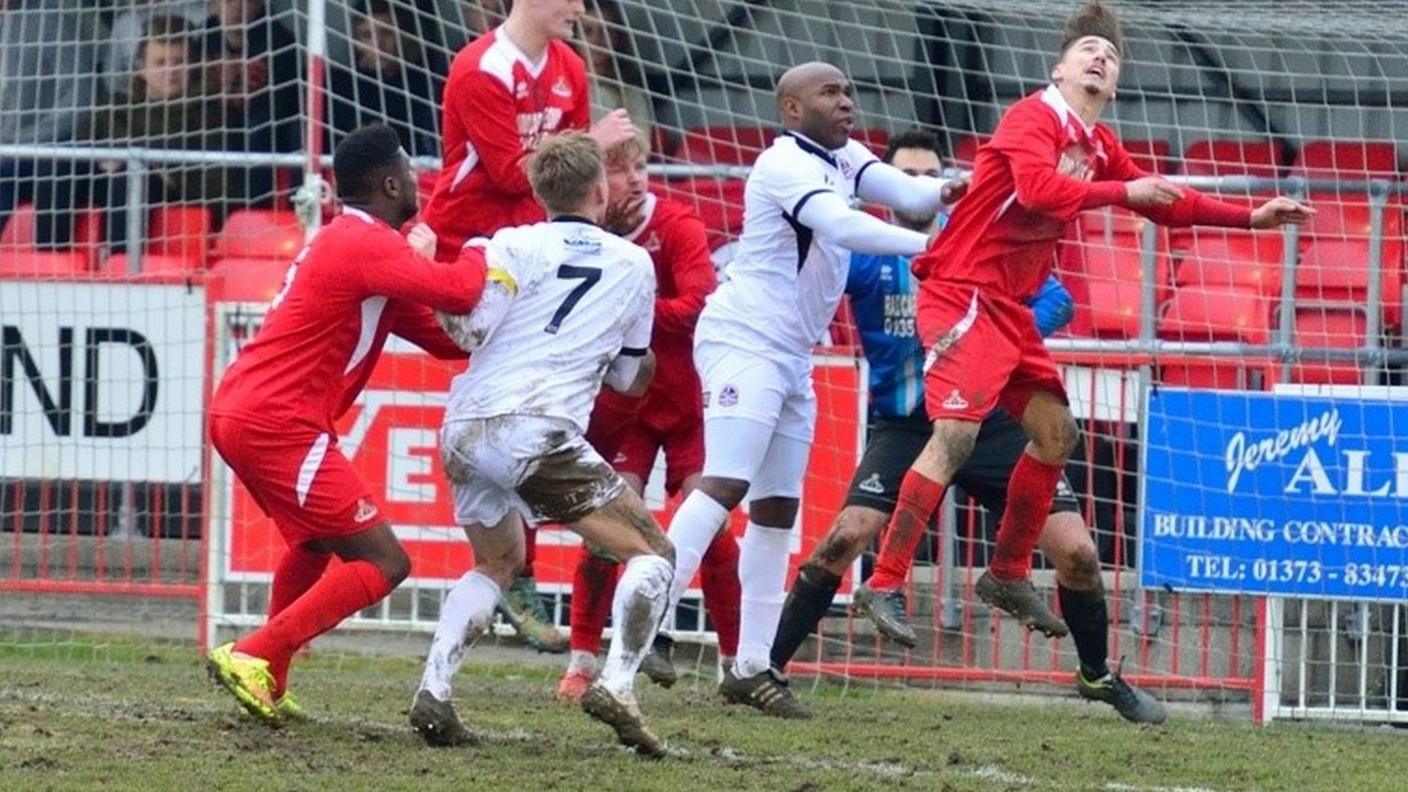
508,91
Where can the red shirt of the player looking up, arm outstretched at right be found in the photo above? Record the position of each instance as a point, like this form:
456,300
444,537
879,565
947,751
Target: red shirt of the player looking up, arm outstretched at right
1030,182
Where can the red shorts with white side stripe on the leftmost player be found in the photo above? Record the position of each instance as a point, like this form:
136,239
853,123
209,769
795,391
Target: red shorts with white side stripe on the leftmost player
299,478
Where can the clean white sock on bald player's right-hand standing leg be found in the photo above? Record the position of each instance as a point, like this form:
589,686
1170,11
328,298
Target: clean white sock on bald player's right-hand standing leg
762,573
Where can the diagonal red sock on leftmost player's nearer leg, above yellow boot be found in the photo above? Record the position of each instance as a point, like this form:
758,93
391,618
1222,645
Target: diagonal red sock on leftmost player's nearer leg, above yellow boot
341,593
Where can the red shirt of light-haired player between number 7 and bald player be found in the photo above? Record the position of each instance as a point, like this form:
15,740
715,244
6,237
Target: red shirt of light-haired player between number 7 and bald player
678,243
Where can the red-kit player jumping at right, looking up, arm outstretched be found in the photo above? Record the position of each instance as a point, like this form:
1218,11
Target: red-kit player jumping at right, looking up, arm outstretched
1050,160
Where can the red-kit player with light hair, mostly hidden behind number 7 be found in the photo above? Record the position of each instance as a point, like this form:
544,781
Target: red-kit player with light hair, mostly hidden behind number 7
630,433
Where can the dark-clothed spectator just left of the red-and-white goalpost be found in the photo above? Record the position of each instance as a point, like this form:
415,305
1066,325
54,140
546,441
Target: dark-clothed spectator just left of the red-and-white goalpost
256,66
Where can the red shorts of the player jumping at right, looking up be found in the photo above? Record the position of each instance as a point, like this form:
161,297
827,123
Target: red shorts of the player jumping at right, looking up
983,353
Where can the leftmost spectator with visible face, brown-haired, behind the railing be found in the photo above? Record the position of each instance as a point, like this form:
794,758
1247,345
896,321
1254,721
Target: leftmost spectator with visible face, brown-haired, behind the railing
163,106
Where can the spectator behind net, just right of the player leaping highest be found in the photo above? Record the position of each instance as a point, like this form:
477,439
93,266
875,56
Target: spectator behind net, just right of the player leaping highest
613,67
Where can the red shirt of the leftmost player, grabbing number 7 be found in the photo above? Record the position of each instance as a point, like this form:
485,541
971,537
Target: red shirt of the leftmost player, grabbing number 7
357,283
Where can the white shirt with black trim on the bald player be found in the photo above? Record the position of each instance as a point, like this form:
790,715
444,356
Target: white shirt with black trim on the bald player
785,281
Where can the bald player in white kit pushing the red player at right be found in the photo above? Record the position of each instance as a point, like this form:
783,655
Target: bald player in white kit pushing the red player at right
754,343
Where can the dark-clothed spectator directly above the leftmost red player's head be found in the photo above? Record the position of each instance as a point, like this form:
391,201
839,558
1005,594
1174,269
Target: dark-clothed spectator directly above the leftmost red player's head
391,81
